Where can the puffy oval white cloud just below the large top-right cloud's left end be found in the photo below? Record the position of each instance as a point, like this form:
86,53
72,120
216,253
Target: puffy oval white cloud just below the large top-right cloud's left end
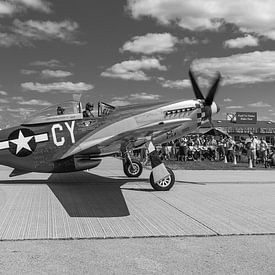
151,43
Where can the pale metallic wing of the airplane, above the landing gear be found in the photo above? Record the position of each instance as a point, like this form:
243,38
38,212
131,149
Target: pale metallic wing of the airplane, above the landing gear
85,145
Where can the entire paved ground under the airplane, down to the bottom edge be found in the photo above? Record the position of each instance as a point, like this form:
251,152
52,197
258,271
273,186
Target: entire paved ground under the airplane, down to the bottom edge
210,222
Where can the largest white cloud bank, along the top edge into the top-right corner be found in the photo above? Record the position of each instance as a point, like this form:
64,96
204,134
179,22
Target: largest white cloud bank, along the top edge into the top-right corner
249,15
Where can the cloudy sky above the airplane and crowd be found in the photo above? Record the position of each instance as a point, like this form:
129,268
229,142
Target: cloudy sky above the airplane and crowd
134,51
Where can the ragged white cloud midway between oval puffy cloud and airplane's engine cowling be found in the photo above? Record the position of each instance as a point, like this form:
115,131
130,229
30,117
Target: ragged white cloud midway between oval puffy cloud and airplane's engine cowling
133,69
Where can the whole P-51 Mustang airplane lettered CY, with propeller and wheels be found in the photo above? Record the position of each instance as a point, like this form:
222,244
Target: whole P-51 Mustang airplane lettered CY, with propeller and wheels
67,141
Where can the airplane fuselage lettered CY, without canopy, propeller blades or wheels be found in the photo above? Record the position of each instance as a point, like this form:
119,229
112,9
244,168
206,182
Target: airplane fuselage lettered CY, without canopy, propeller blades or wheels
75,144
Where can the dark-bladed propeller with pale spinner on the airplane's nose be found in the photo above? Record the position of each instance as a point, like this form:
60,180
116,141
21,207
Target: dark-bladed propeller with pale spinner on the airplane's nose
208,101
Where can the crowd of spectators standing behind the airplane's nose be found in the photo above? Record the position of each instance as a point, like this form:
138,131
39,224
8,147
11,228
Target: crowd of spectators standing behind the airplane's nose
220,148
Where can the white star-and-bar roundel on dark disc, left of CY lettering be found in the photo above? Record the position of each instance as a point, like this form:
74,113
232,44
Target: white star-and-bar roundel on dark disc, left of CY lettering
22,142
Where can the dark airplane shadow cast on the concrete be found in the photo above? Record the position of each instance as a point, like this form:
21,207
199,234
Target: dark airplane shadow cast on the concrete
86,195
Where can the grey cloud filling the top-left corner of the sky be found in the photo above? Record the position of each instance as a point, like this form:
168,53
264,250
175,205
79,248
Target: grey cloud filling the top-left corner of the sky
11,7
